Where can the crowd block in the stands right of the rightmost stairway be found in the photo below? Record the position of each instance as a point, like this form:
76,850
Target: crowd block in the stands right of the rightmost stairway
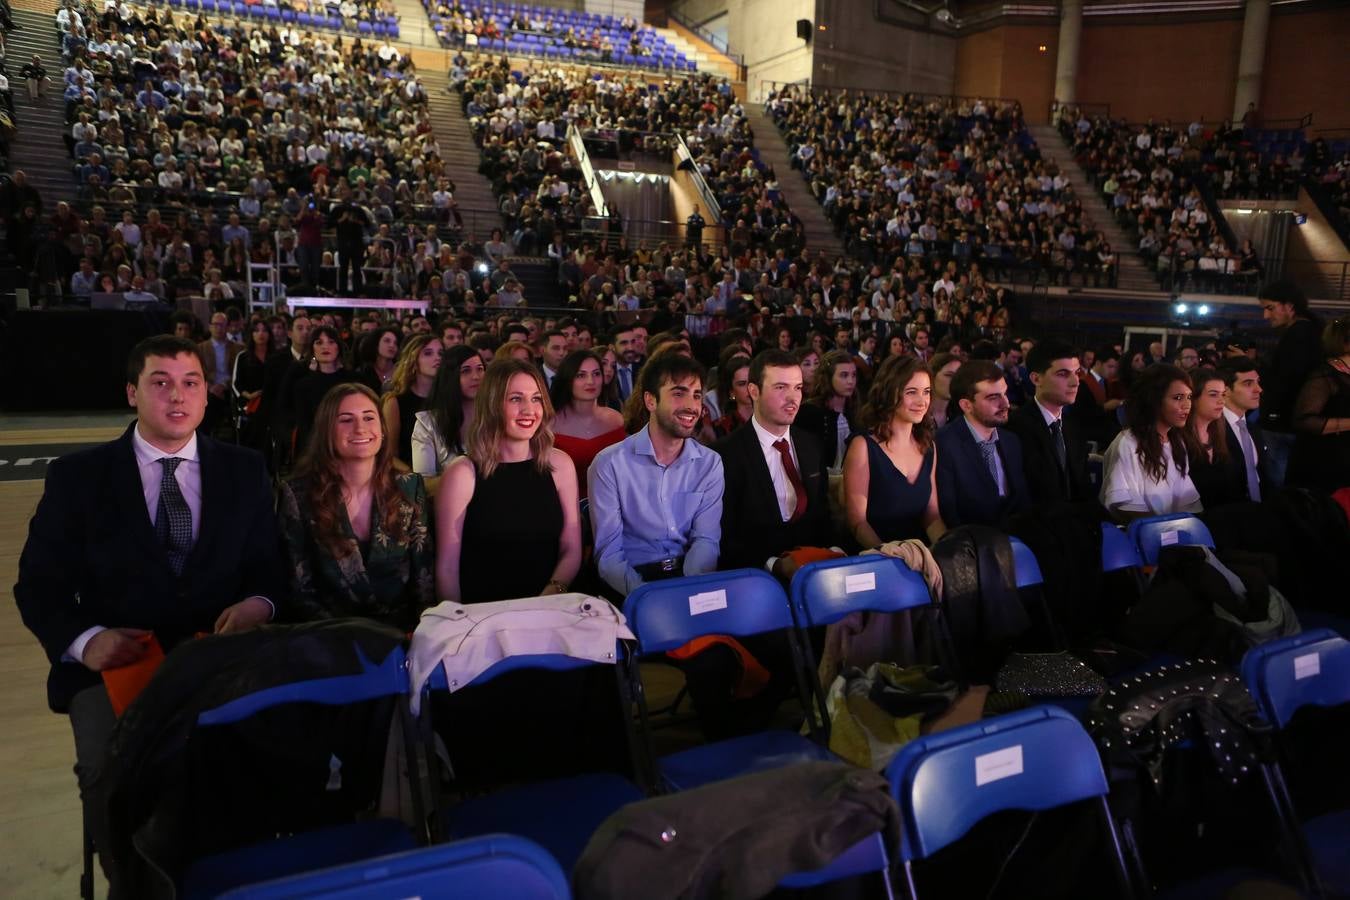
1148,173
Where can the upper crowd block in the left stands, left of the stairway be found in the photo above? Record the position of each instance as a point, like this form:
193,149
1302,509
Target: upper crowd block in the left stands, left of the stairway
249,114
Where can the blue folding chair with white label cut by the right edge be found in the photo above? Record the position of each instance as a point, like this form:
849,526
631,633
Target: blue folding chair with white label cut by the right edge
1285,677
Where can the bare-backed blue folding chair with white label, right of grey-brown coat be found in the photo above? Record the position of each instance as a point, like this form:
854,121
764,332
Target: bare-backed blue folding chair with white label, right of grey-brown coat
1032,760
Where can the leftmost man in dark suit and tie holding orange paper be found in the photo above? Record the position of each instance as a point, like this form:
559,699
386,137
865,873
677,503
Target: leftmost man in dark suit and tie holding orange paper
161,532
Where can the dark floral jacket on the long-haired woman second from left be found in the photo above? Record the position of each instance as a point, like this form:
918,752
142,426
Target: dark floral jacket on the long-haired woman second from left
394,582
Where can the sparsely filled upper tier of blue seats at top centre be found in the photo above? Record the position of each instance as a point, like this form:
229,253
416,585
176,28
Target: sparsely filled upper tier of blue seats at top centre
565,36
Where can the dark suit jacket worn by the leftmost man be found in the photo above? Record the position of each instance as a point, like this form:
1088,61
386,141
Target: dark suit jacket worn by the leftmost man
92,557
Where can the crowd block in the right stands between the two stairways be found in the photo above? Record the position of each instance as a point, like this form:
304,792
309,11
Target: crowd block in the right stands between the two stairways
947,179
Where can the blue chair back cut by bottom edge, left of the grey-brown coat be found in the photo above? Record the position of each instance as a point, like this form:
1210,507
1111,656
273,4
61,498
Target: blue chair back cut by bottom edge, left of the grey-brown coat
497,867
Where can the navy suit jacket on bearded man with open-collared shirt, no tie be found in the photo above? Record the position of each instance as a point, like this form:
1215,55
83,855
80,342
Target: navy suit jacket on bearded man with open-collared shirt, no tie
966,489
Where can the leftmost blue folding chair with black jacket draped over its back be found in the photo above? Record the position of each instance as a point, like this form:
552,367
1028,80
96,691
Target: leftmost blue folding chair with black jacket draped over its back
322,848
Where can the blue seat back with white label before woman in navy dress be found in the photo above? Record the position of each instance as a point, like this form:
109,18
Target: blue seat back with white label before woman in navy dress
827,592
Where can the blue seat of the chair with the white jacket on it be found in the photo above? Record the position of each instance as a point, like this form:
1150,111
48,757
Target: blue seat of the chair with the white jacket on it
558,816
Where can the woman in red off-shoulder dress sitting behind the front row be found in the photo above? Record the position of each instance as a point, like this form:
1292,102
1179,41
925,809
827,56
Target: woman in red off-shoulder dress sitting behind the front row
584,428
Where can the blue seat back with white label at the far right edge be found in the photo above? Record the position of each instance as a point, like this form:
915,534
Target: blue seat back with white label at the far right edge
1306,670
